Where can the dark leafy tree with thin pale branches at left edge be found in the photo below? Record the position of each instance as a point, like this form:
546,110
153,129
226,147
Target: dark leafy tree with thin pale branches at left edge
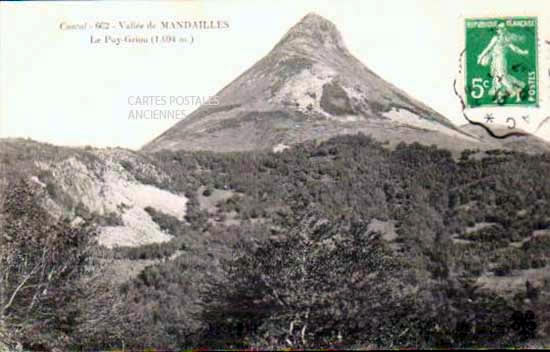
47,282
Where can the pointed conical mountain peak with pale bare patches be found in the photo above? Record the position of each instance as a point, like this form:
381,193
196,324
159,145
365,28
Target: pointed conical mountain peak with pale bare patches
308,87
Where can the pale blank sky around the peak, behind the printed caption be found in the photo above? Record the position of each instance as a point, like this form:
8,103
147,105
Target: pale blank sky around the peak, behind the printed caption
58,87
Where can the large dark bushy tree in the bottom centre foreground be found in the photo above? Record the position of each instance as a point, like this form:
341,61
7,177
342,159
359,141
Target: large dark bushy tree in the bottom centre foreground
321,285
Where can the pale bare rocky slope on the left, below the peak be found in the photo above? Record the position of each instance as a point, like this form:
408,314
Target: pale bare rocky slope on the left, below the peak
110,187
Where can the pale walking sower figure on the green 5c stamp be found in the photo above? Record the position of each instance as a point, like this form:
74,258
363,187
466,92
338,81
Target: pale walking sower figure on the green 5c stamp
504,84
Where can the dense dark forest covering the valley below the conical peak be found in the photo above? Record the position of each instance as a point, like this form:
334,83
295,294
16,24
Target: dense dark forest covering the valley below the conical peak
290,258
